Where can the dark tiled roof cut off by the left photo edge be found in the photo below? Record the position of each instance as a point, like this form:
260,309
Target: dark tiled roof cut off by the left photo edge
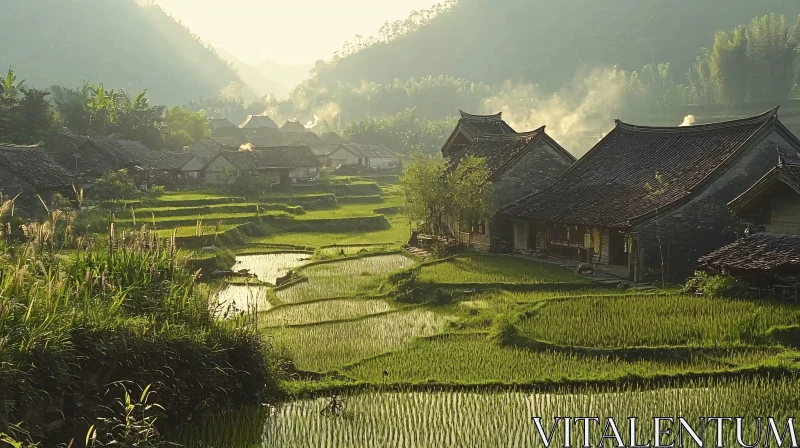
34,166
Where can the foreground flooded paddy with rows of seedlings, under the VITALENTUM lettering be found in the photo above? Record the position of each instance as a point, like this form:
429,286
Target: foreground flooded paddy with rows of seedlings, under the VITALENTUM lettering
496,418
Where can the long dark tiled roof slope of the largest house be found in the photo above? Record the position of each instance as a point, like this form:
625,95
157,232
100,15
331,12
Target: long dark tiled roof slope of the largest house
607,186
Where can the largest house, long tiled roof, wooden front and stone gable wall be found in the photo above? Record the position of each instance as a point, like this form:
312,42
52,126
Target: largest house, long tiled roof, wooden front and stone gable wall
611,209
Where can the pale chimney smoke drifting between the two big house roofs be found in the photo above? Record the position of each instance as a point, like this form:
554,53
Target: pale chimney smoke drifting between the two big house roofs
577,116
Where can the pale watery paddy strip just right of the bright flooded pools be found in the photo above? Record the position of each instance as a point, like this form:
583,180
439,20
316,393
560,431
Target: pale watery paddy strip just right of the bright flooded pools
342,278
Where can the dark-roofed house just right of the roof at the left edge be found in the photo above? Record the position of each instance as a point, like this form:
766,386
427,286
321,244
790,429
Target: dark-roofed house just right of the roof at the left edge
91,157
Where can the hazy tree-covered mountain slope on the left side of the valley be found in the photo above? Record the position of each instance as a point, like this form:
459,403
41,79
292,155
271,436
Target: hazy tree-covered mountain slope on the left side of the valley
123,43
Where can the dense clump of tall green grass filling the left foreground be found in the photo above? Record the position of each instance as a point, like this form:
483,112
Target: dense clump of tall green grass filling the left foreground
130,312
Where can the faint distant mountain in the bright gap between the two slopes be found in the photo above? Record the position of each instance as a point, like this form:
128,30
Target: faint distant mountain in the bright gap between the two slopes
268,77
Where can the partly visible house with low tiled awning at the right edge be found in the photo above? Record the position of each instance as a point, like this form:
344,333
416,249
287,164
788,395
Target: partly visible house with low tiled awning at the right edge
767,257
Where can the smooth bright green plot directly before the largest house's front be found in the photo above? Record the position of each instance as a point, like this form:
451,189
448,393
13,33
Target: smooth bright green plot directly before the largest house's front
496,269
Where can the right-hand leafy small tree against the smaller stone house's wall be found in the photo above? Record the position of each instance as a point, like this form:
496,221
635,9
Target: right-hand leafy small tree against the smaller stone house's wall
471,191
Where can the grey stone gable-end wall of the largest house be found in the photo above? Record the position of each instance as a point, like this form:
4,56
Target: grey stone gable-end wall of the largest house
705,223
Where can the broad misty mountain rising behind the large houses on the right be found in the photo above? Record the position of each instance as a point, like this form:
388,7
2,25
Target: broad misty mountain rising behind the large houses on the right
547,41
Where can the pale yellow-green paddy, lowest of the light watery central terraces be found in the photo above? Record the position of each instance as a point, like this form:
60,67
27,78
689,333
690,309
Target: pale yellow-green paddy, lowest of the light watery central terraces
330,346
